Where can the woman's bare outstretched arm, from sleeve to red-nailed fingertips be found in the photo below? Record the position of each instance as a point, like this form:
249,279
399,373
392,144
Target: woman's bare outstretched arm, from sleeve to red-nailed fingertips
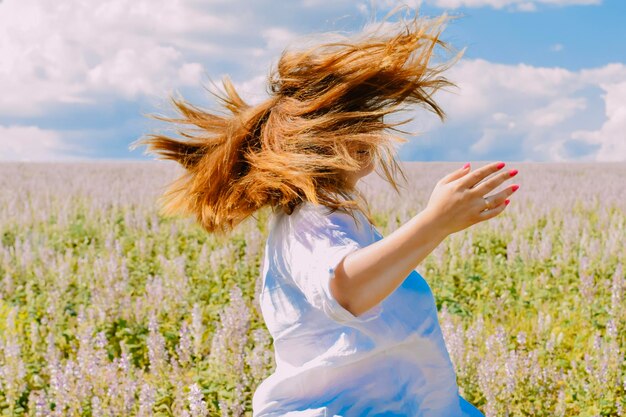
368,275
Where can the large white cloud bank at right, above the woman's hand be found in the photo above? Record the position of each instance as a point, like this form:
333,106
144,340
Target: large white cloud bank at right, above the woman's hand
533,113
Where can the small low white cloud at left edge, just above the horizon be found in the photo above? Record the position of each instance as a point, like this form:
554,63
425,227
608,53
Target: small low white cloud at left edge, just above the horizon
30,143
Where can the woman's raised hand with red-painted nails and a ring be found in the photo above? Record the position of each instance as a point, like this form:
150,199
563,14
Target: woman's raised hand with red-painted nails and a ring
458,202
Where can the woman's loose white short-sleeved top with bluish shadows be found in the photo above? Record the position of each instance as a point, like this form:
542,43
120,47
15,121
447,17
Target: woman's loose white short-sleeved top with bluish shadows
389,361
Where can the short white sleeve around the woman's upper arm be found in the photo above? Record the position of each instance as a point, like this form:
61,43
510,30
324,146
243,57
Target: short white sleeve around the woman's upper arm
318,244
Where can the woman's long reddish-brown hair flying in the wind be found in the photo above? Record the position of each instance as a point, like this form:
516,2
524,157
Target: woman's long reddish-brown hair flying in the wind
326,109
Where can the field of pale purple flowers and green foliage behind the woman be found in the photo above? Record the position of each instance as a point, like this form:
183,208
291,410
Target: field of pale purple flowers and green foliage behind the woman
107,309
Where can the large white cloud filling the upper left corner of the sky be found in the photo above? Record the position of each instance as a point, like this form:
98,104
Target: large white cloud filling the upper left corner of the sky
77,51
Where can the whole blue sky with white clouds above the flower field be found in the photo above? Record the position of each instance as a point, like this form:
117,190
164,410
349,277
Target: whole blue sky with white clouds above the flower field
539,81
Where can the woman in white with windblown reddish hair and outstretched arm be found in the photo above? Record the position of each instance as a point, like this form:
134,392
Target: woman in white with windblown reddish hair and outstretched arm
354,325
